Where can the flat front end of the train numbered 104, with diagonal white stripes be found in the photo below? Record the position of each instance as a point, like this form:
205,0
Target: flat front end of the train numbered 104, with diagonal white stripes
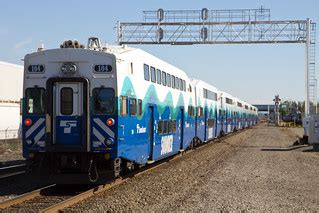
69,114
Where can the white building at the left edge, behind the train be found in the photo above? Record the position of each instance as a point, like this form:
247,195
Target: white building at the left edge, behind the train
11,82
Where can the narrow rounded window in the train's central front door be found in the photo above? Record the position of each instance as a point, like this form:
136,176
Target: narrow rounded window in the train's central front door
66,97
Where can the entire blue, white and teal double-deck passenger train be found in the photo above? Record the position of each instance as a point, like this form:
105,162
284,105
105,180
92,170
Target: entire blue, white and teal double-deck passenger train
93,113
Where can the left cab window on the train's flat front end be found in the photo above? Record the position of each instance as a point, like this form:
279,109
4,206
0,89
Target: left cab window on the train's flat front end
35,101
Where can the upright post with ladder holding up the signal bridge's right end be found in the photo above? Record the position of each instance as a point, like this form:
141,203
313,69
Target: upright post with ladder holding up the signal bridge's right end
307,67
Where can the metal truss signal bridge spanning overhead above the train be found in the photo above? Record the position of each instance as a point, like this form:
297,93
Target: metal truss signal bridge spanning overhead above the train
242,26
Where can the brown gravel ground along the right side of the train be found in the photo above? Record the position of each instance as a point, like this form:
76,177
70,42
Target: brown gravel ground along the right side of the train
247,171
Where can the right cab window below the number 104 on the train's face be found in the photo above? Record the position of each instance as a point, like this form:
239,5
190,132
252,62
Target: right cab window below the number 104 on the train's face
103,101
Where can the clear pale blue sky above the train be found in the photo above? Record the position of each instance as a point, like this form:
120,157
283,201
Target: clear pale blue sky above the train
254,73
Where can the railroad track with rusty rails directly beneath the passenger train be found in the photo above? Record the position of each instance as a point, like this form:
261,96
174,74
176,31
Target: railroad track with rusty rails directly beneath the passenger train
54,198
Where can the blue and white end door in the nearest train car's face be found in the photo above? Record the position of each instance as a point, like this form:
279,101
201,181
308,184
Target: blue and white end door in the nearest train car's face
68,114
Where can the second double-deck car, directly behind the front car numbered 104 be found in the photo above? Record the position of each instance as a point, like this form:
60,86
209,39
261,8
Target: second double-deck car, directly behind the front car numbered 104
207,124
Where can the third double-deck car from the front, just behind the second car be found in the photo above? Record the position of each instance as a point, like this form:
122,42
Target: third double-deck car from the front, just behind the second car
227,106
